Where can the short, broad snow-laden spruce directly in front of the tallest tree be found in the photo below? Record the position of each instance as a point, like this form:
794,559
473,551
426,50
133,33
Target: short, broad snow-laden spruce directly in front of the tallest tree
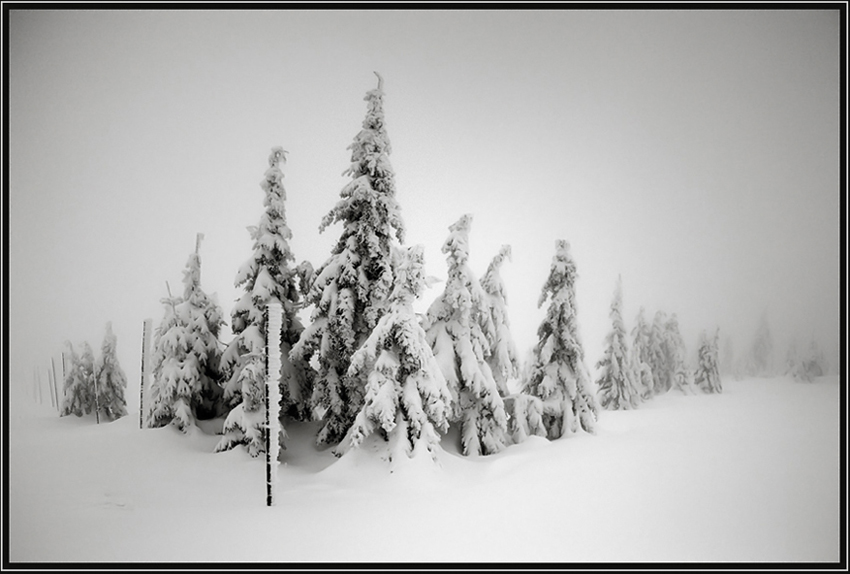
407,399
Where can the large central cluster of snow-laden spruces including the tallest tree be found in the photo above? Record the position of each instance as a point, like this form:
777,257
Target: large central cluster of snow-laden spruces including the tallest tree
366,365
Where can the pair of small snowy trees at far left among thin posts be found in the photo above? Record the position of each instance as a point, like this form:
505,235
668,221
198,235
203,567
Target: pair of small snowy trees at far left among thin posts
94,384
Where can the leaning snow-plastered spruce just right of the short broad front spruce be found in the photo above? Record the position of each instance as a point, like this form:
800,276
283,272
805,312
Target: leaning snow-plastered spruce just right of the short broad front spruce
453,324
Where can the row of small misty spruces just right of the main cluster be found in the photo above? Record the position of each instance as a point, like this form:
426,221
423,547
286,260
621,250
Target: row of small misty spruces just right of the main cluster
656,362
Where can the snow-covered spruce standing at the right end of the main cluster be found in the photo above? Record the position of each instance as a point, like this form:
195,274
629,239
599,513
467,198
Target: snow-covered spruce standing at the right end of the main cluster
559,376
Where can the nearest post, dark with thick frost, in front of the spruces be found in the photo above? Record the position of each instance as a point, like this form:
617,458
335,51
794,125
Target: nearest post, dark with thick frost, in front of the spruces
274,323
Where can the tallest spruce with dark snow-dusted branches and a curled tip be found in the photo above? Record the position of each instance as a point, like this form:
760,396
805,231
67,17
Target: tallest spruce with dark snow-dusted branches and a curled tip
350,290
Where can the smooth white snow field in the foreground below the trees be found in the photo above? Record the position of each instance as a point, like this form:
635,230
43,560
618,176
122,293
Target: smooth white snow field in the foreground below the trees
748,475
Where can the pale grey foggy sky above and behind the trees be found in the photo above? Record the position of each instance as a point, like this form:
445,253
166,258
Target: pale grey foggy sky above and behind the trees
694,152
